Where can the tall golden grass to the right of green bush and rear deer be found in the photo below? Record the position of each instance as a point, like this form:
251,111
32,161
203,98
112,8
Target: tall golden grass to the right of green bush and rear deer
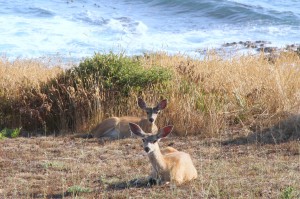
214,94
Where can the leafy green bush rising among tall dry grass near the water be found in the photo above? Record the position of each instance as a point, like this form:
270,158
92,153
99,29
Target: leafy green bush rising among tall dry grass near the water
117,72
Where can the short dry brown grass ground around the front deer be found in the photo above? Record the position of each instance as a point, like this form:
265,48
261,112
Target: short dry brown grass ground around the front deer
62,167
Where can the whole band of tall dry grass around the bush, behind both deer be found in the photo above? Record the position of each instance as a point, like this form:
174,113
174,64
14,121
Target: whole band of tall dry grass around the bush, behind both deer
206,97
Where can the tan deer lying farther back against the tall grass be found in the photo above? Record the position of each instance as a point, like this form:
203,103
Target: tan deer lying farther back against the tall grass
117,127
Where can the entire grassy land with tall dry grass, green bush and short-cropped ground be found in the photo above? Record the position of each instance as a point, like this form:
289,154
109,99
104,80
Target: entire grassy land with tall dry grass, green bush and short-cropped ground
238,118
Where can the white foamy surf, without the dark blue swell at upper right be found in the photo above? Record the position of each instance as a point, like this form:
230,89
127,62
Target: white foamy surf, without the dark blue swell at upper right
81,28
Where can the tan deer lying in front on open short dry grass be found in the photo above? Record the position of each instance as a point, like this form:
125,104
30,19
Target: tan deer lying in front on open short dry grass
167,166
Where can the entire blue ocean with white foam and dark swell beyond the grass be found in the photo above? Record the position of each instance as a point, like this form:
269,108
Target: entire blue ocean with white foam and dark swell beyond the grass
78,28
